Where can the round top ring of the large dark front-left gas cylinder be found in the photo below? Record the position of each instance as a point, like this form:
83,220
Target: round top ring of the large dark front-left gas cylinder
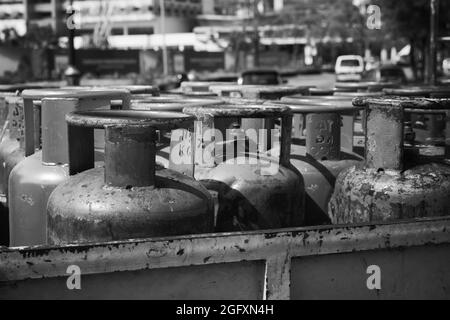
101,118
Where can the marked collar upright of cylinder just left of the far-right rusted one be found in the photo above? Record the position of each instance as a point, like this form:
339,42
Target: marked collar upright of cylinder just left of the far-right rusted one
323,139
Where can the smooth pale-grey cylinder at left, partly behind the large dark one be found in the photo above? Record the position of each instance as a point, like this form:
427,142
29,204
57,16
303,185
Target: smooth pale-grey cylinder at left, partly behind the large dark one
34,178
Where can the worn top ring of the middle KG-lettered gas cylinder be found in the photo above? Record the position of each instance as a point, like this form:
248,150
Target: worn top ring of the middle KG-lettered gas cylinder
244,111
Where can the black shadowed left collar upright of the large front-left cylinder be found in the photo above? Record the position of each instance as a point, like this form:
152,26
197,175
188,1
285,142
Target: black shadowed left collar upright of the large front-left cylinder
81,149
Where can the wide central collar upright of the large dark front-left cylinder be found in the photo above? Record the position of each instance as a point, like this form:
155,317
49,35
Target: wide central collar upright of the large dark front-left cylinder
130,156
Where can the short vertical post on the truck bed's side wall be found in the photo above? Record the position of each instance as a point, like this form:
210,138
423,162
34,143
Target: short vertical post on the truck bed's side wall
277,278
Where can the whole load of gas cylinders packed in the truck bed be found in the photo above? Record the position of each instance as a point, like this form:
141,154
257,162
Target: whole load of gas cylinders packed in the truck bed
83,164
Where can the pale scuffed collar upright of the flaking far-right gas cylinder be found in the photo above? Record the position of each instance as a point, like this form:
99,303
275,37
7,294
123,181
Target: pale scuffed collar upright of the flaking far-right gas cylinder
384,142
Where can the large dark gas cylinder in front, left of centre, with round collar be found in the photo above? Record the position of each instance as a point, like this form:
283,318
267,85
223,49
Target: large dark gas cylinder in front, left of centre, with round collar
130,197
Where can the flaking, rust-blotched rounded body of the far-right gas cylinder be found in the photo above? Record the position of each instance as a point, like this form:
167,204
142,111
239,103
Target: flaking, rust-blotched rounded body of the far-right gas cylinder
372,195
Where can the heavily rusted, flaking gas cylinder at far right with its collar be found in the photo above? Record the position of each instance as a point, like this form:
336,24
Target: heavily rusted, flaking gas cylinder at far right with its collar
389,186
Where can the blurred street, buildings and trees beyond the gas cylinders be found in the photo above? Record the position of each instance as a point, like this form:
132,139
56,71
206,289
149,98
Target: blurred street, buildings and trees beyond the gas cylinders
164,42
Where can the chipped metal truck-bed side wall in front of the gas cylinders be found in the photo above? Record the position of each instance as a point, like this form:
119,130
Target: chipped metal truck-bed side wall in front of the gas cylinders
115,264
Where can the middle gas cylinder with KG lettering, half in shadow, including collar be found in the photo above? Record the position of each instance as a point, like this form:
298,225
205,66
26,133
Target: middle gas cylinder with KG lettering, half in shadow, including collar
253,192
